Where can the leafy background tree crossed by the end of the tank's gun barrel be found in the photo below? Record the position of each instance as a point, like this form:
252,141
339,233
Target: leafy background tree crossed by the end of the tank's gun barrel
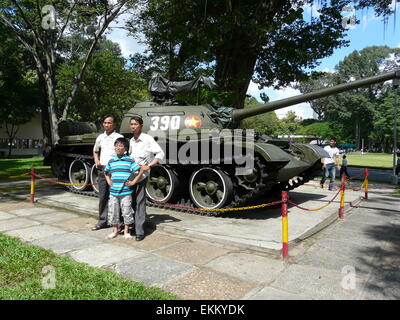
356,113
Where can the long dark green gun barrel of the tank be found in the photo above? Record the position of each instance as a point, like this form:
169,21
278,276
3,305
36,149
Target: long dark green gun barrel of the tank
240,114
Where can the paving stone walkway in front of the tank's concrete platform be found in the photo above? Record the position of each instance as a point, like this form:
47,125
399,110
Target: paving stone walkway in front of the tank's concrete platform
357,258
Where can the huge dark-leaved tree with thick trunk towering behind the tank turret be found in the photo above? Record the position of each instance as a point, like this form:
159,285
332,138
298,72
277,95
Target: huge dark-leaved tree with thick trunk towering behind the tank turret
237,41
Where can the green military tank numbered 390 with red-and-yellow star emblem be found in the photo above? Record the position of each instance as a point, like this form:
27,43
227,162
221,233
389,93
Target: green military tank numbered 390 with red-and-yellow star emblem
209,163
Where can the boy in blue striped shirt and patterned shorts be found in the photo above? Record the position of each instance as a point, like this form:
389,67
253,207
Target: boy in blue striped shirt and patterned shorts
117,172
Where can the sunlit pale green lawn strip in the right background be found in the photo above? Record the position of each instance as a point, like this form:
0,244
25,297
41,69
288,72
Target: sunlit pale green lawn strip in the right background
370,160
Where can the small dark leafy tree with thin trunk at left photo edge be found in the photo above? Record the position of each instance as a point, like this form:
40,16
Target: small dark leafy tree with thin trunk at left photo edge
19,97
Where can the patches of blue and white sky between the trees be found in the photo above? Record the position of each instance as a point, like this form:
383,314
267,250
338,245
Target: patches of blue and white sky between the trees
370,32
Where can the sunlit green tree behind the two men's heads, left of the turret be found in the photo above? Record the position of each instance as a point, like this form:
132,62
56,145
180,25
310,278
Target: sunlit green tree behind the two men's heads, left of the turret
109,87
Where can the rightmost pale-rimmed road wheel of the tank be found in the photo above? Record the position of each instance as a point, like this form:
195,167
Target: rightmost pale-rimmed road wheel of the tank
210,188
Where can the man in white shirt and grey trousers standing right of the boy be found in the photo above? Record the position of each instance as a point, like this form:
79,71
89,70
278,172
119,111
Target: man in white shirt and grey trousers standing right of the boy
147,153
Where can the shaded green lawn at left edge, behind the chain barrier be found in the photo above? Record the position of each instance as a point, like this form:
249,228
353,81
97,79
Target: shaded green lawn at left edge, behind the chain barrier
15,167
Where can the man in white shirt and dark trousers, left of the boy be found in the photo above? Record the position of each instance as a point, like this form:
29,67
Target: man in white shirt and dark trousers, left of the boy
103,151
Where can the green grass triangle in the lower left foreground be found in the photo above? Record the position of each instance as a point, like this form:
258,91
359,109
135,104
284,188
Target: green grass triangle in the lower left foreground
21,277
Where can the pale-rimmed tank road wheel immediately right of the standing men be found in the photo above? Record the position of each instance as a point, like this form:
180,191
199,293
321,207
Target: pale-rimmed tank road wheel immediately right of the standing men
162,184
